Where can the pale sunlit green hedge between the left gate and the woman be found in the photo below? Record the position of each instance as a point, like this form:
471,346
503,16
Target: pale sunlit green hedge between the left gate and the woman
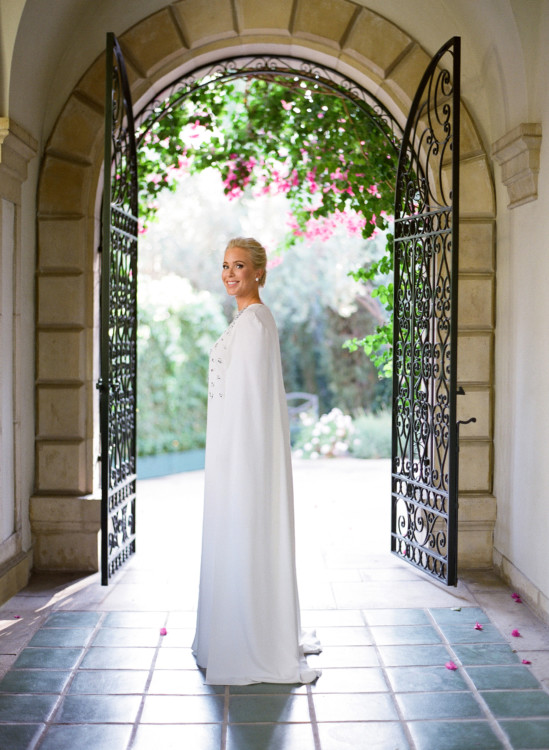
172,388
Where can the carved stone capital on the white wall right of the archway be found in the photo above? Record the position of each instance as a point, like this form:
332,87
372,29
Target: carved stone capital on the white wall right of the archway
518,155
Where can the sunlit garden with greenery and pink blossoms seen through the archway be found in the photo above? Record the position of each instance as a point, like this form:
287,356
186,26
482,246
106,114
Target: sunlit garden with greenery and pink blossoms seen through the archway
312,180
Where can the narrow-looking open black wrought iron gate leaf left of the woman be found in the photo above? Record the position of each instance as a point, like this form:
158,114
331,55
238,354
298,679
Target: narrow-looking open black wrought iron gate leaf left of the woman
117,385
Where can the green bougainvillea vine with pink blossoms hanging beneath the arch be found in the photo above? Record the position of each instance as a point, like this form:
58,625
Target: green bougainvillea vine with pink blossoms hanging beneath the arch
329,159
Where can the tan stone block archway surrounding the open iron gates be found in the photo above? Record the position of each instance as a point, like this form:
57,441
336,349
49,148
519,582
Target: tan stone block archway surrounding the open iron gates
362,45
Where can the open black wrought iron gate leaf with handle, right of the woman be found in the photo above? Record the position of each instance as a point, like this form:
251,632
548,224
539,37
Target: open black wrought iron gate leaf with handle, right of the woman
425,431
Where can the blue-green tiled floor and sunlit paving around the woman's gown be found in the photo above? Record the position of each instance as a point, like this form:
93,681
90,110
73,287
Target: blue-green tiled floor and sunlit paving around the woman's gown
86,667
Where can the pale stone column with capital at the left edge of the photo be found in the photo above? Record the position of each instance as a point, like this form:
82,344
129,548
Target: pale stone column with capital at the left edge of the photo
17,148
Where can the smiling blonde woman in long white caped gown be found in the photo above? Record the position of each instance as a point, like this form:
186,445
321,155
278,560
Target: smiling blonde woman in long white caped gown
248,623
